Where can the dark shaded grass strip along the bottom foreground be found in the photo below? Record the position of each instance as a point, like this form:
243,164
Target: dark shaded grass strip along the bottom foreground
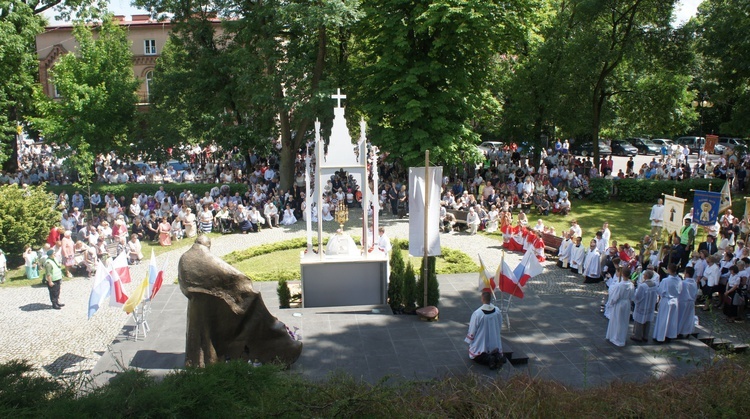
236,389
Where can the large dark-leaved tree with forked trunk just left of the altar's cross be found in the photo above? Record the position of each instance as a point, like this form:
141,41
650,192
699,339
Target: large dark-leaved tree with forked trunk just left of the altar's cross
263,76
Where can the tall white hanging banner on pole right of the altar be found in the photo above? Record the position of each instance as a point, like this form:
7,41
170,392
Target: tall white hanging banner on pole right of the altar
417,187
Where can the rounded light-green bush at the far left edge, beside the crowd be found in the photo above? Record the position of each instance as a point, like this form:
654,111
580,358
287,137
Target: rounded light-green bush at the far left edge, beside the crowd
26,217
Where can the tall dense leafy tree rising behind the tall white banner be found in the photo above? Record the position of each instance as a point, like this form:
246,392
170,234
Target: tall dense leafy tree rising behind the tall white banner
426,71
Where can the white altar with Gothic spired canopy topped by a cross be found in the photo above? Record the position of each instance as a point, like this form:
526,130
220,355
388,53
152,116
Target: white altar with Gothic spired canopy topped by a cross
344,274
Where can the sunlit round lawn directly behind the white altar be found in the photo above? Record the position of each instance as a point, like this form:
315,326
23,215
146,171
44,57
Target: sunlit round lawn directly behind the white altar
281,260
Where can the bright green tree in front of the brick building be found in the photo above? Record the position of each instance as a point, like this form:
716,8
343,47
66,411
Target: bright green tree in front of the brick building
97,108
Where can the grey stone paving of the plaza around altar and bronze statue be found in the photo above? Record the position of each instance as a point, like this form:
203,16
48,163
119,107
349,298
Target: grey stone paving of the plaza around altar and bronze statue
558,326
